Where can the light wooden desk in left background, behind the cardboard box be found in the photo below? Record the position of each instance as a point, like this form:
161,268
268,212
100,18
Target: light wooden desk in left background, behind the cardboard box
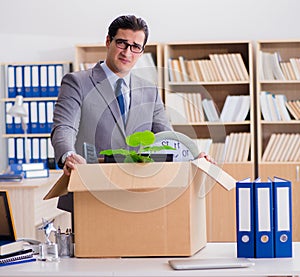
28,206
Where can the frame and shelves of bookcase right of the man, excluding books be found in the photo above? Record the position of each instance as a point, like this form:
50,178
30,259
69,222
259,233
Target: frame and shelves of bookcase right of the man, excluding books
220,203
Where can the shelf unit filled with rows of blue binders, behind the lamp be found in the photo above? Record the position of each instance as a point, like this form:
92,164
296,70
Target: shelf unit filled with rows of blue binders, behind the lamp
38,84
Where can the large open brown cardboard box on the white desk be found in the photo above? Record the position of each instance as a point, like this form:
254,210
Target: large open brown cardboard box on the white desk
154,209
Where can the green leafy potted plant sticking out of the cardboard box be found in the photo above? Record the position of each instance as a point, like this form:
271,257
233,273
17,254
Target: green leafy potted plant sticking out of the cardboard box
145,152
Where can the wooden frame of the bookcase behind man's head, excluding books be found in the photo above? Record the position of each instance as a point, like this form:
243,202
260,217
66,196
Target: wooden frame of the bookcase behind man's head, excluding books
90,54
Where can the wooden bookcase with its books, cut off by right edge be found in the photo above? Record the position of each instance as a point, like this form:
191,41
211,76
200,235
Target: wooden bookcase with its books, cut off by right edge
273,79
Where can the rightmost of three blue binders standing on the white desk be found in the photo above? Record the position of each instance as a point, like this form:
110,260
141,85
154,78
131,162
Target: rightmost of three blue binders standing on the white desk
282,217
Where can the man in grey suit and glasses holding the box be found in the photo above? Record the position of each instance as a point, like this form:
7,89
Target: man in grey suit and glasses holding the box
87,108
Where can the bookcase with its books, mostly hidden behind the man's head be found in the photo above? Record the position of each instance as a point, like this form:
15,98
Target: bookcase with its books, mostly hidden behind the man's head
86,55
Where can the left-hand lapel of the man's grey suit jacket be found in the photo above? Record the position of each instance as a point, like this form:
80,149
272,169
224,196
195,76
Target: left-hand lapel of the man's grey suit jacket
101,83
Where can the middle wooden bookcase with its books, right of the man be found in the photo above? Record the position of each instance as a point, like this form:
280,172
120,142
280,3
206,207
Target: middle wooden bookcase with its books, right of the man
216,88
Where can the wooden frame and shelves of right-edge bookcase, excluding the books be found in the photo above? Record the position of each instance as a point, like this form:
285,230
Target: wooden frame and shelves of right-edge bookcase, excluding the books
290,89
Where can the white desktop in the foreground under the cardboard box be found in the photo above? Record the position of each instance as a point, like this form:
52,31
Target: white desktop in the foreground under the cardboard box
155,266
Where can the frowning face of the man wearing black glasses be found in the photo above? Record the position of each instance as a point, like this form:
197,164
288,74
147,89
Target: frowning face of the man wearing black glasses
120,61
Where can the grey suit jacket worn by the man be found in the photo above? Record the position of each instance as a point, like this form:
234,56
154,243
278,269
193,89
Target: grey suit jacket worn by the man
87,111
